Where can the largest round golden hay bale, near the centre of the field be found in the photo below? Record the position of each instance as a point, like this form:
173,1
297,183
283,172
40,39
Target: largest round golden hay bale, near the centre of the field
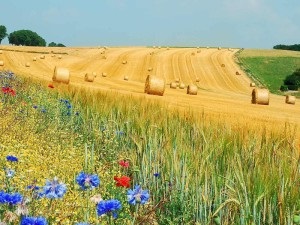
154,85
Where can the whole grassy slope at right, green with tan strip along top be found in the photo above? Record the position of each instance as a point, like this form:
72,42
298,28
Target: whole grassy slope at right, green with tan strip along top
269,67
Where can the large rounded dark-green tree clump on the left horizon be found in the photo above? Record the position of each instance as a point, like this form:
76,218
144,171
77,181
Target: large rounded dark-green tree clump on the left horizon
26,37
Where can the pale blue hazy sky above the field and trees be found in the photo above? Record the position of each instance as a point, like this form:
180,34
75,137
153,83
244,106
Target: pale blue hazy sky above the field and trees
227,23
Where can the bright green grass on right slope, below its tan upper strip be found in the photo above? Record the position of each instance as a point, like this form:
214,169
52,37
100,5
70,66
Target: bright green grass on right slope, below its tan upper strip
269,71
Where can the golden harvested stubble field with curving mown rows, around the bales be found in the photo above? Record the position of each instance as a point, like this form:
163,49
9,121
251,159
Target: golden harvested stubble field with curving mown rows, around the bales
220,92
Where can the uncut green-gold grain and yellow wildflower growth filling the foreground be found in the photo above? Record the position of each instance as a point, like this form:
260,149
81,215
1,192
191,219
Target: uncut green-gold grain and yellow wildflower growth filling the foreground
209,170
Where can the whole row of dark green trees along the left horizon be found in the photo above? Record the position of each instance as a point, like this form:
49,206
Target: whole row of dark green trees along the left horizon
25,38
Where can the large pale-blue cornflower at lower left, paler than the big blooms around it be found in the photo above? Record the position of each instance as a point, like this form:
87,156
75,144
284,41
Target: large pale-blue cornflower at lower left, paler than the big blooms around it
53,189
